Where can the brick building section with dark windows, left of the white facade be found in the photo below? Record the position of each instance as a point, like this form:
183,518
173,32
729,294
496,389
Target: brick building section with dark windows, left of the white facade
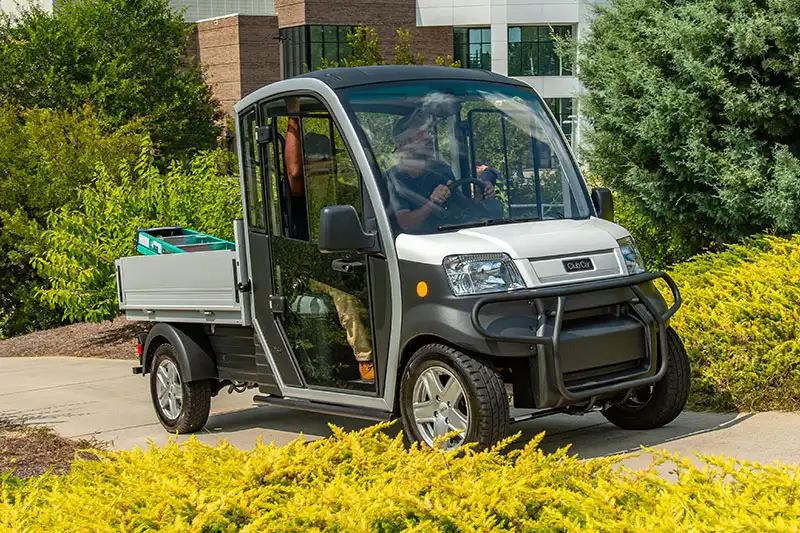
264,41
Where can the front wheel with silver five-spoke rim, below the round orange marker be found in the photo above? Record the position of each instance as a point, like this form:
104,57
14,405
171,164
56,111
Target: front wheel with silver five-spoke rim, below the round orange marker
476,393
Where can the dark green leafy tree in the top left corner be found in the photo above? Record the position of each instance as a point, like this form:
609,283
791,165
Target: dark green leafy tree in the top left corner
127,58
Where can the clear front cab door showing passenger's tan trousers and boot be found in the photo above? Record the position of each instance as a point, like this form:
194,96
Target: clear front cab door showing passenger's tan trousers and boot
317,314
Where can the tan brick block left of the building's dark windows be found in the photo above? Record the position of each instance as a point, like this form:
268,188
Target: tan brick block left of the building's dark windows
240,54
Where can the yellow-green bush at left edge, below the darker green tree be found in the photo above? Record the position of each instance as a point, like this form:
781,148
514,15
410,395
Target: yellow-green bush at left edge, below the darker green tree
45,156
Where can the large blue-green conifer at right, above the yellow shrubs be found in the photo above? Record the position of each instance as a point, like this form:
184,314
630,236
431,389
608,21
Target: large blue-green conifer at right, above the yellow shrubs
694,111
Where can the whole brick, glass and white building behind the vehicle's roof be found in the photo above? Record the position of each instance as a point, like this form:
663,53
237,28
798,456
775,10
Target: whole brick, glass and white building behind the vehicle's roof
266,41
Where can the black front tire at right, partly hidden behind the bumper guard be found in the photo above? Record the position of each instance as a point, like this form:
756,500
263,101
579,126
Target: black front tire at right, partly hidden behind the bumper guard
657,405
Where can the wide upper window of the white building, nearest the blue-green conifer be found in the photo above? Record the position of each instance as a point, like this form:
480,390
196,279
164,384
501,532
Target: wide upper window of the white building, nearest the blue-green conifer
532,51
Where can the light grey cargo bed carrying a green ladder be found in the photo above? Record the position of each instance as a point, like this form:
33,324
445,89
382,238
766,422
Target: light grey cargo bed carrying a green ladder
184,276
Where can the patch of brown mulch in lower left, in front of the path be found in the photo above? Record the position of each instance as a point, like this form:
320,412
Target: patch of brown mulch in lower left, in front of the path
31,451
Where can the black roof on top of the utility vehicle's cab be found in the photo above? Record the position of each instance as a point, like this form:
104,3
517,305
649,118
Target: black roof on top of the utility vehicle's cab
338,78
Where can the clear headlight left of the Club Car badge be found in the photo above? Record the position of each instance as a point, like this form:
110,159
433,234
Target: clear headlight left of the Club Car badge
481,273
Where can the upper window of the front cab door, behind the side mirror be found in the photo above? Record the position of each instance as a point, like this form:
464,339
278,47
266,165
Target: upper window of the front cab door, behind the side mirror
312,167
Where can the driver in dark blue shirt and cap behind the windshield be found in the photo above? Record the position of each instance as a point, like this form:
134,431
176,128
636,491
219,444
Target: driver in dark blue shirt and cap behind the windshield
420,180
